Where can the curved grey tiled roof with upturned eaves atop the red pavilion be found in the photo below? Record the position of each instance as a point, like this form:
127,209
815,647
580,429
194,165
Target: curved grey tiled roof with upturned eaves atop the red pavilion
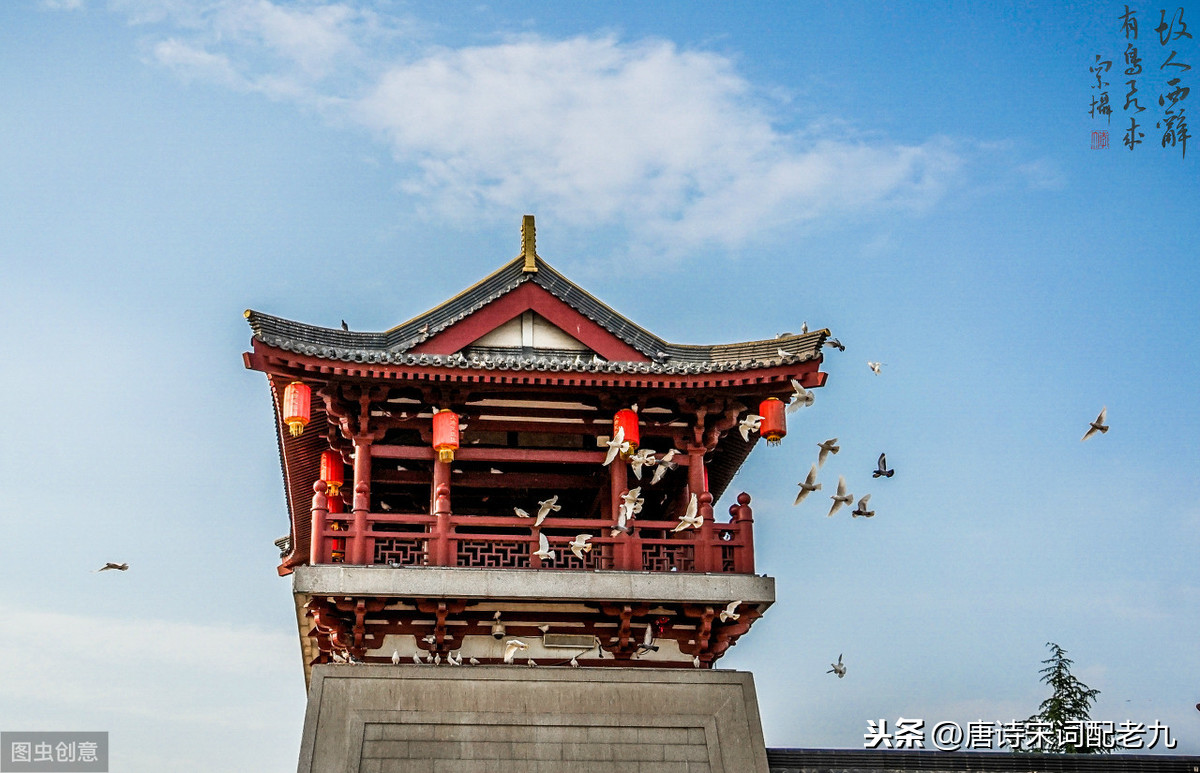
394,346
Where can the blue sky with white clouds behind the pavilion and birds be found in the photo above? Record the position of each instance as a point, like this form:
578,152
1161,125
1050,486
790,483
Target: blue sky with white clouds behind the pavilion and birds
919,178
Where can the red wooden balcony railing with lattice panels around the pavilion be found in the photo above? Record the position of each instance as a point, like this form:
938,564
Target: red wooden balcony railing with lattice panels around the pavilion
443,540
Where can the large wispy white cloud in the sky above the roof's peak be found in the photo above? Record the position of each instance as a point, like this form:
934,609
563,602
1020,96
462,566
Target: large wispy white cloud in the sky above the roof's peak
675,145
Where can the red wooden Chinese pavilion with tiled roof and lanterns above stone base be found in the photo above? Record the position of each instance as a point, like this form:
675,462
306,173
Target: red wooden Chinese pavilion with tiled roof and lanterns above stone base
440,477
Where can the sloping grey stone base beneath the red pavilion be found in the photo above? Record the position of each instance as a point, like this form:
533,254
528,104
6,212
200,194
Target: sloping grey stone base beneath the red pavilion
494,720
